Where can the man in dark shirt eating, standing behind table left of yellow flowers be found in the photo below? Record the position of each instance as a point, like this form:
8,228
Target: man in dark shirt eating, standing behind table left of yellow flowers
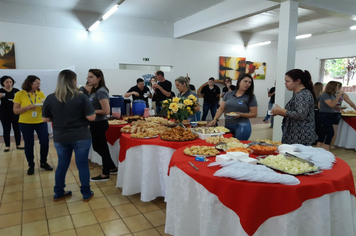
162,89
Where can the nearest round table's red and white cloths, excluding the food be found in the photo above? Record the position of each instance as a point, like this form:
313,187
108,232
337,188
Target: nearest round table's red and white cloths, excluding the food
200,204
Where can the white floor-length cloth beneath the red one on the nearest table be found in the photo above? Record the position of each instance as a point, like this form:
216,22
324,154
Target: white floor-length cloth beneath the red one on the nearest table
192,210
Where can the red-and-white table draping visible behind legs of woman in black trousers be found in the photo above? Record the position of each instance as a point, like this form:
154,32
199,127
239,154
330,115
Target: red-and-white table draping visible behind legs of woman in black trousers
113,135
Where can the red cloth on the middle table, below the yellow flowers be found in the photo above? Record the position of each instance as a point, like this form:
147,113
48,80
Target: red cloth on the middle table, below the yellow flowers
126,142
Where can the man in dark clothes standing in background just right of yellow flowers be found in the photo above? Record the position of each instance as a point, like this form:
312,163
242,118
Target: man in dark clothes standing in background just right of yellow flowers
211,94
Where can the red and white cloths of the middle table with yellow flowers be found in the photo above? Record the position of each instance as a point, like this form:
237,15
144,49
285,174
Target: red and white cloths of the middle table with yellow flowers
144,164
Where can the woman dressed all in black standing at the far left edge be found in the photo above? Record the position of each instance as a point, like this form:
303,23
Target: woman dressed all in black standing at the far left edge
7,116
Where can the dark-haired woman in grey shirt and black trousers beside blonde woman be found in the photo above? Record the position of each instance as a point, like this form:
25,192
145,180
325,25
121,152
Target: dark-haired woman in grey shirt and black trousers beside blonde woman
99,97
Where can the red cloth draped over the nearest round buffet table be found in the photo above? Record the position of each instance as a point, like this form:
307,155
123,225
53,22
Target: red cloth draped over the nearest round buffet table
254,203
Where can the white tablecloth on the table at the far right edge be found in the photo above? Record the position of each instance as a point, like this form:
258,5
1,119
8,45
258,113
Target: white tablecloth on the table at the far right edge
346,135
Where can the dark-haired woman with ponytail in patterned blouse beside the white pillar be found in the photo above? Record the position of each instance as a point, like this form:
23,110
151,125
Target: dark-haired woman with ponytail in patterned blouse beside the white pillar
299,119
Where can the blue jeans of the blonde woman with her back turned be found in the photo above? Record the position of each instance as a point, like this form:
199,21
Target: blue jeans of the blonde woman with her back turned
64,151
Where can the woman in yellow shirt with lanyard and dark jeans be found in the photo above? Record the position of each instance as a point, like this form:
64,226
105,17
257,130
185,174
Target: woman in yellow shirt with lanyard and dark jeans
28,104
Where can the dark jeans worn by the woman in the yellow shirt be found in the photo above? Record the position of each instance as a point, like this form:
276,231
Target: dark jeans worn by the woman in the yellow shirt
28,136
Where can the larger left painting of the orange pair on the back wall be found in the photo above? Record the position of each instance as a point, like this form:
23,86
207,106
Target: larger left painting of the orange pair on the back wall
231,67
